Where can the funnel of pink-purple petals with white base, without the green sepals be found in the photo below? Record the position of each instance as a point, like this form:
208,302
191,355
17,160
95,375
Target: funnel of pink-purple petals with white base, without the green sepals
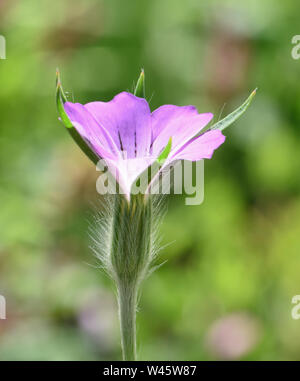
129,137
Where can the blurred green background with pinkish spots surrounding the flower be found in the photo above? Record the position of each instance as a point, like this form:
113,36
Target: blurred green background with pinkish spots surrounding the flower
233,262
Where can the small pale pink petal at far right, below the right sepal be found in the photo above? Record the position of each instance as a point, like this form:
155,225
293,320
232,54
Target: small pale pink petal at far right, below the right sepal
201,147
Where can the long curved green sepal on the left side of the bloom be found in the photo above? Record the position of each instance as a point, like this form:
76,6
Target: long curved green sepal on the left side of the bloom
60,100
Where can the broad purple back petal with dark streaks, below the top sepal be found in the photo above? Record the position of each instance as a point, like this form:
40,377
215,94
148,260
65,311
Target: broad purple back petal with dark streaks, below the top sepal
127,118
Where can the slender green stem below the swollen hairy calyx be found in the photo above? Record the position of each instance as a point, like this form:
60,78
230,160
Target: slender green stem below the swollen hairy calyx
127,312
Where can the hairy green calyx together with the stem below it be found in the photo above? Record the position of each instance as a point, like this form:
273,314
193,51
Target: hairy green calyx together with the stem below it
126,244
